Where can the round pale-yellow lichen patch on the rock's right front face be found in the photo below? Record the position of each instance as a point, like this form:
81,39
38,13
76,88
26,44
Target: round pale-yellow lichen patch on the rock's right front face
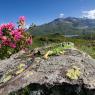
73,73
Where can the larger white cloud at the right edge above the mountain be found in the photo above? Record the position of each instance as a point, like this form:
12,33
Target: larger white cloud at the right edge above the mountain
89,14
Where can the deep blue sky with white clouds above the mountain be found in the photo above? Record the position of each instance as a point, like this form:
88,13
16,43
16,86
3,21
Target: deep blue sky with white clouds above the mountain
43,11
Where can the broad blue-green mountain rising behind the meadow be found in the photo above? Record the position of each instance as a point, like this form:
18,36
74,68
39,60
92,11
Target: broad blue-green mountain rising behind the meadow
66,26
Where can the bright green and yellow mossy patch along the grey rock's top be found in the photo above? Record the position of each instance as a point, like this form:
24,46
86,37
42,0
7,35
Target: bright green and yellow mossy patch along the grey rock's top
57,49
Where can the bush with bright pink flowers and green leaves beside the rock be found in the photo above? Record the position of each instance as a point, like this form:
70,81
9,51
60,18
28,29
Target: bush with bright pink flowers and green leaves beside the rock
13,39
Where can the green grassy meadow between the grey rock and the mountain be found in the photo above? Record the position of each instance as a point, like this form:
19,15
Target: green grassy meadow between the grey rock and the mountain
82,44
